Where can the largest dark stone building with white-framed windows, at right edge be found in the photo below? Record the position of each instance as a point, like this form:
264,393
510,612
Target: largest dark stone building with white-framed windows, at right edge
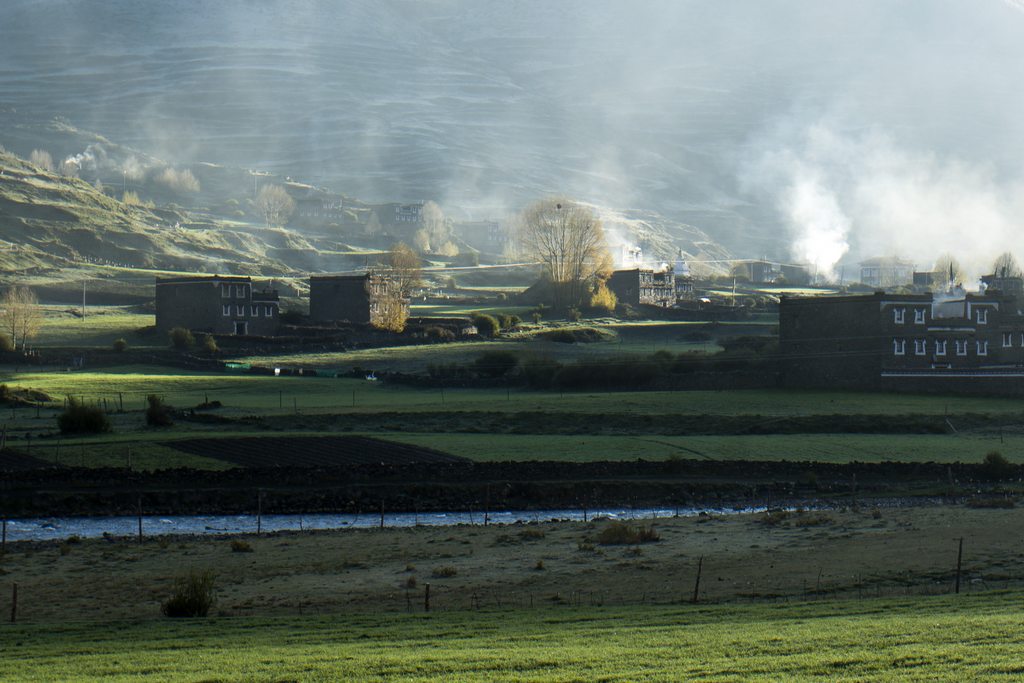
953,343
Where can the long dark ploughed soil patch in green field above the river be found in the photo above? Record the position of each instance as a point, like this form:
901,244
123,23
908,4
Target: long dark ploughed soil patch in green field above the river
311,452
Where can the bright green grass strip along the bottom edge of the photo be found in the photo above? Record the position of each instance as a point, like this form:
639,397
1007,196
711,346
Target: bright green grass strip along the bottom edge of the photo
935,638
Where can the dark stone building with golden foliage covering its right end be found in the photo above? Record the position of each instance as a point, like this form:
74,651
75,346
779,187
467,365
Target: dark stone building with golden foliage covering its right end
353,298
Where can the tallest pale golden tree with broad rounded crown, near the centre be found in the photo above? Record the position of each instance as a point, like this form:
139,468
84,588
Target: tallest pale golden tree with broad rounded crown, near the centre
569,241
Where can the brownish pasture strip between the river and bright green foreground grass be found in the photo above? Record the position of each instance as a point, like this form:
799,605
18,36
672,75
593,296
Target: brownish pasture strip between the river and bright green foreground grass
798,556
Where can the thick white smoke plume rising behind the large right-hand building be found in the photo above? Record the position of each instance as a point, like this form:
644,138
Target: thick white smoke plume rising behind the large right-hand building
862,195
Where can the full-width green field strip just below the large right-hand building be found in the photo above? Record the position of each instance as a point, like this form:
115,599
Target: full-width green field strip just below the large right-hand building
271,394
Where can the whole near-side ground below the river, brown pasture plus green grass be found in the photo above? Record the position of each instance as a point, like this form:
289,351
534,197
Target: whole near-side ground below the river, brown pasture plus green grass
537,603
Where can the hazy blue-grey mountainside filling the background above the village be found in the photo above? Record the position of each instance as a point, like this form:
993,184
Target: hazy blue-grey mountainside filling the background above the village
700,112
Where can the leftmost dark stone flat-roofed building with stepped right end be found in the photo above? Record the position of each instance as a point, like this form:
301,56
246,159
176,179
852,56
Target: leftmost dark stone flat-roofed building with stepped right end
219,305
